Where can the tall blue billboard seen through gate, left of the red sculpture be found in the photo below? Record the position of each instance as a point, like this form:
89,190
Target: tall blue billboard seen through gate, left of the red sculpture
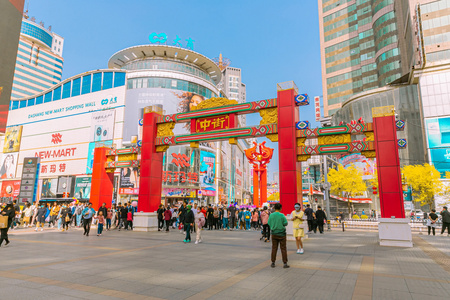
207,173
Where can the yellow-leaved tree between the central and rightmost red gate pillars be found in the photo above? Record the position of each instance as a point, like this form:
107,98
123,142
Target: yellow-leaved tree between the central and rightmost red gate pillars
347,180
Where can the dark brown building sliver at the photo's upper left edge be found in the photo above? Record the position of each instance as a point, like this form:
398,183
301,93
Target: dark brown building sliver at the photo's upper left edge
10,19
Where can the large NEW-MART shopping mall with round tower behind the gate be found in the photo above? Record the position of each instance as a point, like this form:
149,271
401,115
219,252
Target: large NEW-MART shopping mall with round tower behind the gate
63,124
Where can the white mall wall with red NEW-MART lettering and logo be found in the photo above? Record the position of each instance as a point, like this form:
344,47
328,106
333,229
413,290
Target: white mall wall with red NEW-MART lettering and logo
59,132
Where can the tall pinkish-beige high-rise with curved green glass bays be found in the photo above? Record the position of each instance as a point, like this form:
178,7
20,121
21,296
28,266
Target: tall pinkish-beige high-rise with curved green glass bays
360,48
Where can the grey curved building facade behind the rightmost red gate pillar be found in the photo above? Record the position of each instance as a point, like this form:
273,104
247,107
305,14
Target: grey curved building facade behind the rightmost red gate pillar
406,102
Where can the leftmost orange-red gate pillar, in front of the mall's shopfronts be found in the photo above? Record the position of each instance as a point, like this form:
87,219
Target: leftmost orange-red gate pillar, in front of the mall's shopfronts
102,182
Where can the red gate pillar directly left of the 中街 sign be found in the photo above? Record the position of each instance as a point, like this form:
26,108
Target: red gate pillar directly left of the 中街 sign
150,184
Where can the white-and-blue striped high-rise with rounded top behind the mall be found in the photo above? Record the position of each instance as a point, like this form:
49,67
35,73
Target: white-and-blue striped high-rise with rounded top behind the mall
39,59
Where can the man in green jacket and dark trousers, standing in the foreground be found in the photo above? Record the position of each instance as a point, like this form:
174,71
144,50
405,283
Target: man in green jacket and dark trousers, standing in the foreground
278,223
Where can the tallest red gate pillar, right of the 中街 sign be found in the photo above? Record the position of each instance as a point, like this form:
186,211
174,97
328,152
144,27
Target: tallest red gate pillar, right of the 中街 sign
289,168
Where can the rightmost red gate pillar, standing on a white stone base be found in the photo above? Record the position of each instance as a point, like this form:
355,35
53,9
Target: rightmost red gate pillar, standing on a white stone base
388,166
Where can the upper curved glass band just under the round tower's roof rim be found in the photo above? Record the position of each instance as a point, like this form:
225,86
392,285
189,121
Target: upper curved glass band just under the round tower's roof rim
170,65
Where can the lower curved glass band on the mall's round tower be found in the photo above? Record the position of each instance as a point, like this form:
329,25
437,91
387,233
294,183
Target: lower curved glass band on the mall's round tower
168,83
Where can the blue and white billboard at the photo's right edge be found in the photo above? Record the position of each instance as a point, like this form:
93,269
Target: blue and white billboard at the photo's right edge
438,139
